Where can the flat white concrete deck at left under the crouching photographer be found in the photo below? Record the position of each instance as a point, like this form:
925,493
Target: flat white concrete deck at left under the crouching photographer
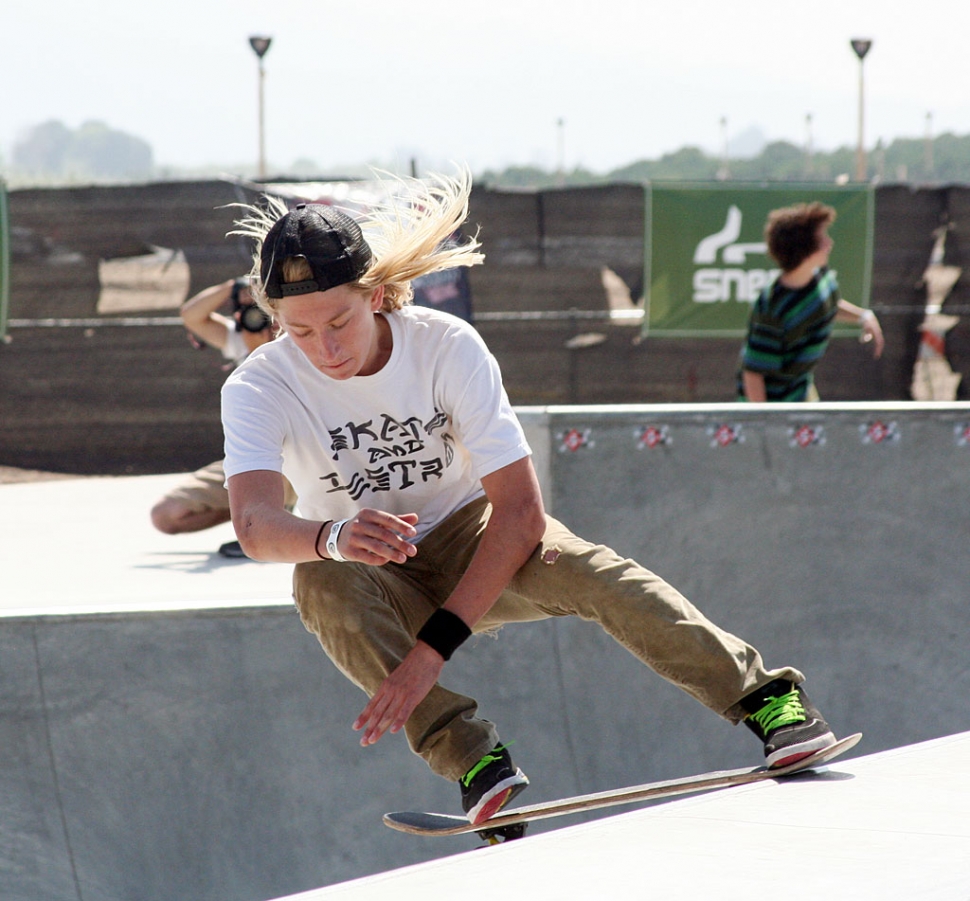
87,545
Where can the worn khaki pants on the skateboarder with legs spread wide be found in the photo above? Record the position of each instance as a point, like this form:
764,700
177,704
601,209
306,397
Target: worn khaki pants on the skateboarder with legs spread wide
366,618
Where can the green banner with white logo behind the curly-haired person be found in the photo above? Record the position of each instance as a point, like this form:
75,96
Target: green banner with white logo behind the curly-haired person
706,260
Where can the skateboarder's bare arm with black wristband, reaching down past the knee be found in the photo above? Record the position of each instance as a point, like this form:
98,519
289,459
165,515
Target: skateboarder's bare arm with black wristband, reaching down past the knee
514,528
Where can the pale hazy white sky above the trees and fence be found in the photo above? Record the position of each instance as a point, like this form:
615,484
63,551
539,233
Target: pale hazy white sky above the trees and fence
488,84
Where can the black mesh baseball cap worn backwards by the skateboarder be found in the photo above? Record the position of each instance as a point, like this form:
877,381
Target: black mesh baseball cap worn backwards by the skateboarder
330,241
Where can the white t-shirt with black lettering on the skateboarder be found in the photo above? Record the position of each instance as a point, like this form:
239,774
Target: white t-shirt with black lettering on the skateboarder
416,437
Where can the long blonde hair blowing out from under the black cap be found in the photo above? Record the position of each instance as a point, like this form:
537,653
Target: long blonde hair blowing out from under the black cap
408,235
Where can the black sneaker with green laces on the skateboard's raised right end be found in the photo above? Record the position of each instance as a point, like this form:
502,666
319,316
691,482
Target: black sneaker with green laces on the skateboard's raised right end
790,726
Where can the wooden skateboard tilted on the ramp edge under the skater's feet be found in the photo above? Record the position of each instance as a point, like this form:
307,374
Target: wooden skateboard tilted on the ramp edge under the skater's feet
510,824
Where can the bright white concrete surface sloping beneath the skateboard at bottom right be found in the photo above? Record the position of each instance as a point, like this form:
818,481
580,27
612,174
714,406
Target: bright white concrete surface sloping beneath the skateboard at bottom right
879,828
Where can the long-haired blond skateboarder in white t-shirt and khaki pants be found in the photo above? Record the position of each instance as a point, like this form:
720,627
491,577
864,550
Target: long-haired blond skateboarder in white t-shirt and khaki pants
421,518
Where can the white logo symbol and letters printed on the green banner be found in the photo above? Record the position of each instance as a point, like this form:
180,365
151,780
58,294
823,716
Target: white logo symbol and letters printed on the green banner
730,281
